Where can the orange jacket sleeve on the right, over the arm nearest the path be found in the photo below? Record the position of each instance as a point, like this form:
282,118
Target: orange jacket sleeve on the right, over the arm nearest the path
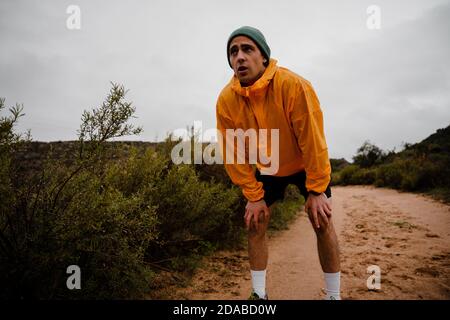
307,121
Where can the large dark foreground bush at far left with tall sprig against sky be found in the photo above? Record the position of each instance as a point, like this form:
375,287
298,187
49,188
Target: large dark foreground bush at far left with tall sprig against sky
69,214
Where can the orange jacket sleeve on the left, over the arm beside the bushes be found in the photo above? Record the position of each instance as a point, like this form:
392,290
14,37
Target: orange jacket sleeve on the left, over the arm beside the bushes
242,175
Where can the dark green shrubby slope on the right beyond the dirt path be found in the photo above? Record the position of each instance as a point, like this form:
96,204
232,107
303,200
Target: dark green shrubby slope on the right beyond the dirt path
423,167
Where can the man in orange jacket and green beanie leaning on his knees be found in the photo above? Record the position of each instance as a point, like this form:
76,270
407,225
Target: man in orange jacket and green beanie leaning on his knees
262,95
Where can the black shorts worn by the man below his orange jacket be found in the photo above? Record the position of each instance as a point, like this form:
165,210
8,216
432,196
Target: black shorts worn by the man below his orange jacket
274,186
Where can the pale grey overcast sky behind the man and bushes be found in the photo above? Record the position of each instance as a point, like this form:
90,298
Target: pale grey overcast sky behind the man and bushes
389,85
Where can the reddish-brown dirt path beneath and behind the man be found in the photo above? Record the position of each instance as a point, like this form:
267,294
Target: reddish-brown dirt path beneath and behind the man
406,235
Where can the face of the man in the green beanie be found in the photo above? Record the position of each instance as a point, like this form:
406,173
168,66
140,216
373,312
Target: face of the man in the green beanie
246,59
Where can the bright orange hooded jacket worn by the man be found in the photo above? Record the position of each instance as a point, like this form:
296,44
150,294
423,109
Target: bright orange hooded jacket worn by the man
283,100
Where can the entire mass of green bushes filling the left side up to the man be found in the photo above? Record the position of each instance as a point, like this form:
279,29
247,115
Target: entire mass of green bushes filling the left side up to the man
114,217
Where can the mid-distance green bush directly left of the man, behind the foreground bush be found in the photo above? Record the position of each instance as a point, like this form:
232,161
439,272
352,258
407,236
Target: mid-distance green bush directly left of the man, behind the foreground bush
190,212
